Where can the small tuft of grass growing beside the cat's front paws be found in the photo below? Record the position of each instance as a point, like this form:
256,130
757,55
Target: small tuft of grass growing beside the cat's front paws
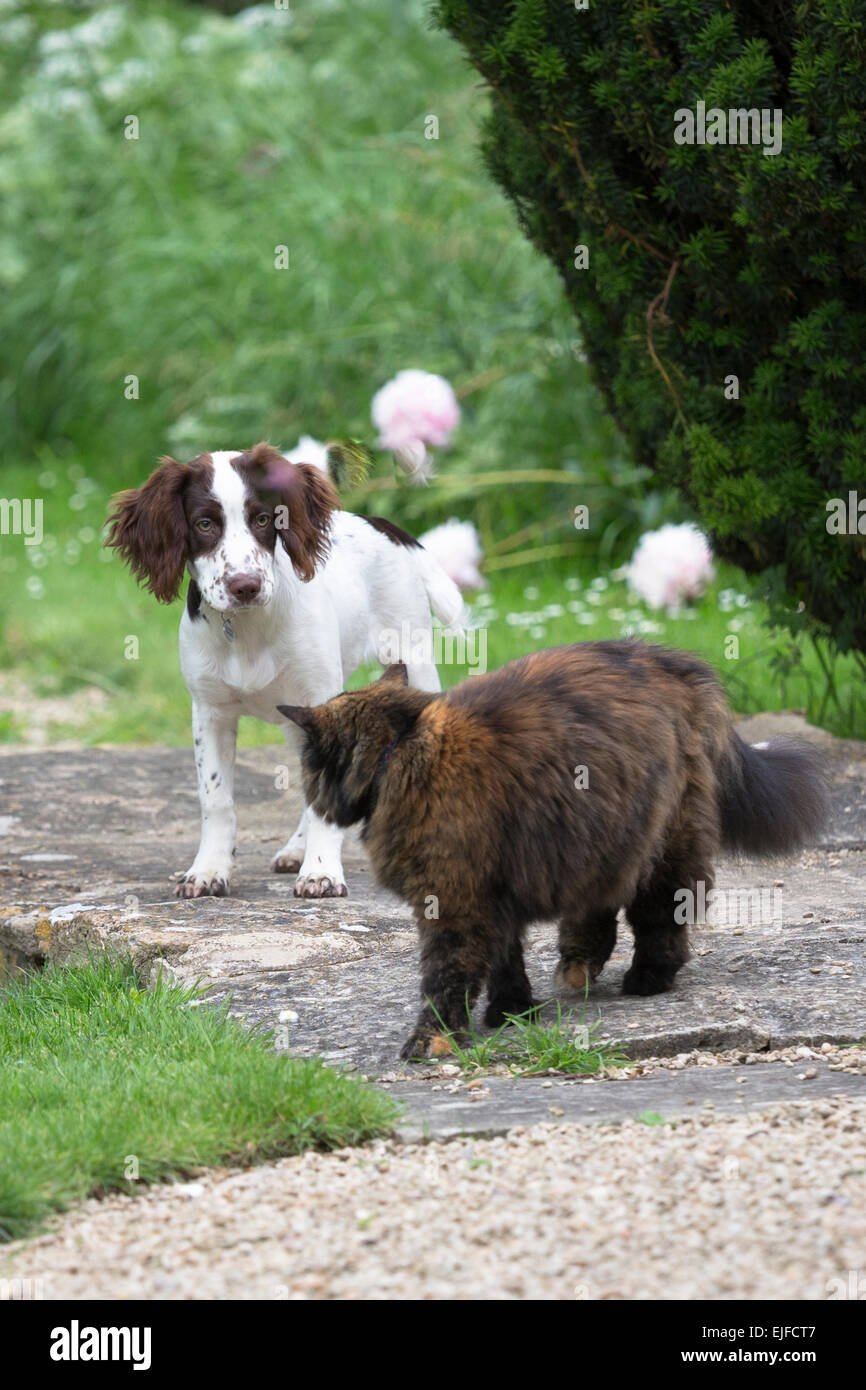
529,1047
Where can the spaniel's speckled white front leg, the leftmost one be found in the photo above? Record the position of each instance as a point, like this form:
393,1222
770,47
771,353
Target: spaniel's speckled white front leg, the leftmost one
215,739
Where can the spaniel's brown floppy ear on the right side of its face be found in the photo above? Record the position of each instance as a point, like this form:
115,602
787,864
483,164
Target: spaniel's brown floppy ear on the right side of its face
305,507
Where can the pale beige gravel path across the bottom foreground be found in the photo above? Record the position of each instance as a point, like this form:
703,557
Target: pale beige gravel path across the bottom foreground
767,1206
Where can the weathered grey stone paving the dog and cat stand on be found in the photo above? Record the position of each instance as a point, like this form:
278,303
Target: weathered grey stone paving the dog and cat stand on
91,837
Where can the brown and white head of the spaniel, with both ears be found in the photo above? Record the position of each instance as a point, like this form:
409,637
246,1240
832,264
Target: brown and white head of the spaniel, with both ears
223,516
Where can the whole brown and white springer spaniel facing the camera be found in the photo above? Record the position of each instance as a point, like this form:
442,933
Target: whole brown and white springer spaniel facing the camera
287,597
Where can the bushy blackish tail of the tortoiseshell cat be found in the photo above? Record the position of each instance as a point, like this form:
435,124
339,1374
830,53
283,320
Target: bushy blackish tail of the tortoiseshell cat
772,797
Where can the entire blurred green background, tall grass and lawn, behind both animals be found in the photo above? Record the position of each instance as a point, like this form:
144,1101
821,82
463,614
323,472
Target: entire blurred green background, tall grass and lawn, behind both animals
155,259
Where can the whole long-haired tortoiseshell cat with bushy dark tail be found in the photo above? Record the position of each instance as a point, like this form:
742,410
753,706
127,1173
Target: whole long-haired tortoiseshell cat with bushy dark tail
476,812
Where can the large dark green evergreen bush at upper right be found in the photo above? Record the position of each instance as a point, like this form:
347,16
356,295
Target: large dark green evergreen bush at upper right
707,262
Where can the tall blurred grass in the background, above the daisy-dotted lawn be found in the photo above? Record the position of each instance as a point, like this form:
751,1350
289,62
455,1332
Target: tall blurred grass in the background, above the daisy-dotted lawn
155,258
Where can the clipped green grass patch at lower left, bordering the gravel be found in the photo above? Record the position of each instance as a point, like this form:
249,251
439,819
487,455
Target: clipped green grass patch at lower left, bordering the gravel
101,1078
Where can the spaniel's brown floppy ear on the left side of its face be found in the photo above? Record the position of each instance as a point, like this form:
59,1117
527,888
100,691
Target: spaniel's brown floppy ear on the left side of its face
148,528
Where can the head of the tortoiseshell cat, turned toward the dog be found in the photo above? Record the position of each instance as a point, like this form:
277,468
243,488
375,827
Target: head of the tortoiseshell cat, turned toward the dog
350,742
